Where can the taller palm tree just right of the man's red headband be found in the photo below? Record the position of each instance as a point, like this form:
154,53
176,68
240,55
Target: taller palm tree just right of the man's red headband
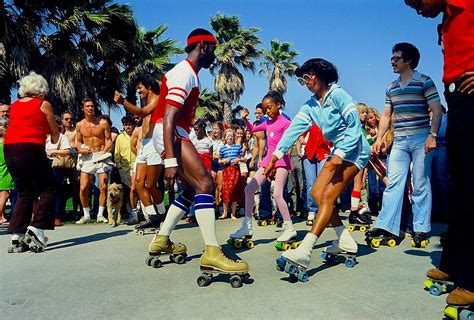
237,47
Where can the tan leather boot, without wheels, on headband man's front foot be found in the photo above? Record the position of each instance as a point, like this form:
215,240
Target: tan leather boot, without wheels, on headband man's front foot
214,259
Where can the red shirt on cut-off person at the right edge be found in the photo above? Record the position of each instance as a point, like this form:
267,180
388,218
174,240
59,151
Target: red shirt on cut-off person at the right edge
458,39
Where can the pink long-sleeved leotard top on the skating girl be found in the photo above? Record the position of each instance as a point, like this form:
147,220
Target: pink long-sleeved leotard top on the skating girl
274,130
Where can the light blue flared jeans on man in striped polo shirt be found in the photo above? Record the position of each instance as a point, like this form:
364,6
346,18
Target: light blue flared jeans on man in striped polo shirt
407,150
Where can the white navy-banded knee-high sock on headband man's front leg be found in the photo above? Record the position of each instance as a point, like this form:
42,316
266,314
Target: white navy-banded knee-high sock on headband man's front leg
205,217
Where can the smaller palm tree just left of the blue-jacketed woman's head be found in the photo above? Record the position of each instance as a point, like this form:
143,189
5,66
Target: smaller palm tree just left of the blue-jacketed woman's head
278,62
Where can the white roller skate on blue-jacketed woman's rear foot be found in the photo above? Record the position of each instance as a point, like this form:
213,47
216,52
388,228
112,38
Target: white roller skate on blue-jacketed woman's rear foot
342,250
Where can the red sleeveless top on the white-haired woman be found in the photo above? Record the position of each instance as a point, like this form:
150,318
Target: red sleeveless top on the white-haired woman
27,123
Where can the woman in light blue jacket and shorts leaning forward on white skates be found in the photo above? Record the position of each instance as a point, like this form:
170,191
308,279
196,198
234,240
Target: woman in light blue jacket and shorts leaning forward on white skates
334,111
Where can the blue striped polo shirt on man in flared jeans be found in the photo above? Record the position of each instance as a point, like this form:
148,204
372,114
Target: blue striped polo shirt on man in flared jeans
409,104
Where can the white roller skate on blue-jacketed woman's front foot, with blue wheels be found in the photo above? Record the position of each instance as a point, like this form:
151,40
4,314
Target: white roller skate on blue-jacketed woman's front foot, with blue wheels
295,262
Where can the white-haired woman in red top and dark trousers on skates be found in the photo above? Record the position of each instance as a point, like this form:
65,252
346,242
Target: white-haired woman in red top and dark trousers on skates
31,119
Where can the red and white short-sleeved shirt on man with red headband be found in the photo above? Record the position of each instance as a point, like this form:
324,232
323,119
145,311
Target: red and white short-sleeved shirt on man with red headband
179,88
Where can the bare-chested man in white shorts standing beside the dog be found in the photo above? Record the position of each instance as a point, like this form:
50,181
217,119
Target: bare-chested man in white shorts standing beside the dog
94,143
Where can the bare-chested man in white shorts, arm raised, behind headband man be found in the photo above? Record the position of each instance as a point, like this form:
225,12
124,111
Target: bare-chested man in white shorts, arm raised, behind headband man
149,162
